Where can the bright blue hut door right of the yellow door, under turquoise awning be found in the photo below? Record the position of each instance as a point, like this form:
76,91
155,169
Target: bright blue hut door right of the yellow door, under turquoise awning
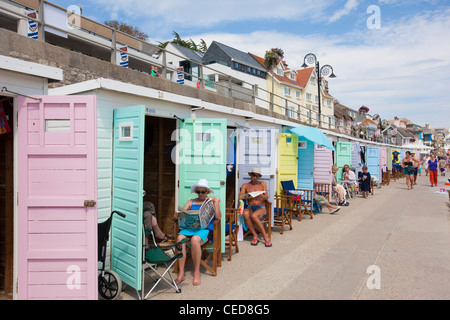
305,165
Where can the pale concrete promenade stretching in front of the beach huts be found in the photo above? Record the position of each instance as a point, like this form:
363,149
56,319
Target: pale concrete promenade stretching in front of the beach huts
404,233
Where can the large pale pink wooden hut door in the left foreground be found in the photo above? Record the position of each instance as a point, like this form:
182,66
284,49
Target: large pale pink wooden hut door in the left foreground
57,213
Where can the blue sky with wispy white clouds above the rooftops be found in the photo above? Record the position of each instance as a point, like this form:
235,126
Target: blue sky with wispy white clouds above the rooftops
396,62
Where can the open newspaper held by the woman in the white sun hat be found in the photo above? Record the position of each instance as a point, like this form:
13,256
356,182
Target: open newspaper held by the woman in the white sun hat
196,219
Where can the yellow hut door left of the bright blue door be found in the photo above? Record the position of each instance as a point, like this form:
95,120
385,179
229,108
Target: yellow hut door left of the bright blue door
287,159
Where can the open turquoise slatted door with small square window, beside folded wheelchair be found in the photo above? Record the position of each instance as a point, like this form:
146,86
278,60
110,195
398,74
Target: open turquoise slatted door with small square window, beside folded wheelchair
128,193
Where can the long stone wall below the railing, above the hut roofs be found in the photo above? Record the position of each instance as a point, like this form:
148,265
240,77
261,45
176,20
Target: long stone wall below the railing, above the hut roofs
78,67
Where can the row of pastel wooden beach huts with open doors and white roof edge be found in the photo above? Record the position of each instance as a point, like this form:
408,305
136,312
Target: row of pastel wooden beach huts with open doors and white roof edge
80,151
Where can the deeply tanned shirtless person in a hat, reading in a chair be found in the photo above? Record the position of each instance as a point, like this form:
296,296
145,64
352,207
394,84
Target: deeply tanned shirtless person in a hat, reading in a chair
256,194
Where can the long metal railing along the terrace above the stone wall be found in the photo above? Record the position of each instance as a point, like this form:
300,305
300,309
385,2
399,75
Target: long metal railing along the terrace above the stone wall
277,104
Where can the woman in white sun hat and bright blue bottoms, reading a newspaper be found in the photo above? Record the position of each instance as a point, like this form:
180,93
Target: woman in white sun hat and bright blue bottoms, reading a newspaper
198,235
